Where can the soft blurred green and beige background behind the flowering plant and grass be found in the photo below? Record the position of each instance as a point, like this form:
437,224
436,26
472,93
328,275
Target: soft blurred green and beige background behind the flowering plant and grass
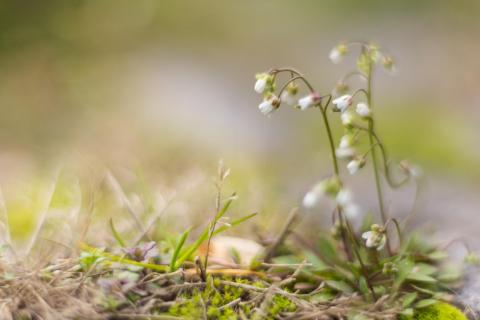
158,91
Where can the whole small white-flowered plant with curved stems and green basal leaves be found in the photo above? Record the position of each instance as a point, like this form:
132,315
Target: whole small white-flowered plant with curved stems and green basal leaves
366,261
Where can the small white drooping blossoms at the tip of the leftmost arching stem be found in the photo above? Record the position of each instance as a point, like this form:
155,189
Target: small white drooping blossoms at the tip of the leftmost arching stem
265,85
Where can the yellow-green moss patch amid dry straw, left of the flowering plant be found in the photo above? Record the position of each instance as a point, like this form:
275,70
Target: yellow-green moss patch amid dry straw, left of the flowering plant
215,296
